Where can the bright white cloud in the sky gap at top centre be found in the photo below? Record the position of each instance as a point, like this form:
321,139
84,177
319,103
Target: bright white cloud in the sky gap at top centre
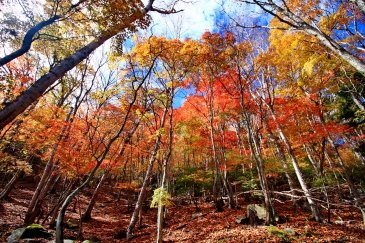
197,17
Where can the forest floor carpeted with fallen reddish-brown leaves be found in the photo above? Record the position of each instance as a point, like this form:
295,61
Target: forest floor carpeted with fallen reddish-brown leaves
111,216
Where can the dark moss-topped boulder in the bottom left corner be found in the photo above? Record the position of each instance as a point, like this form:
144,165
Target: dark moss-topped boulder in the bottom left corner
30,232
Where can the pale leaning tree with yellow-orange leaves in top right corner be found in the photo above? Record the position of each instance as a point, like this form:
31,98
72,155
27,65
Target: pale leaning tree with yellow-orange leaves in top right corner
306,16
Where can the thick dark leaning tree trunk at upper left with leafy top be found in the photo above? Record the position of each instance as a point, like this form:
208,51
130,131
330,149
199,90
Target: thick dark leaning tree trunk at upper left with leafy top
120,20
